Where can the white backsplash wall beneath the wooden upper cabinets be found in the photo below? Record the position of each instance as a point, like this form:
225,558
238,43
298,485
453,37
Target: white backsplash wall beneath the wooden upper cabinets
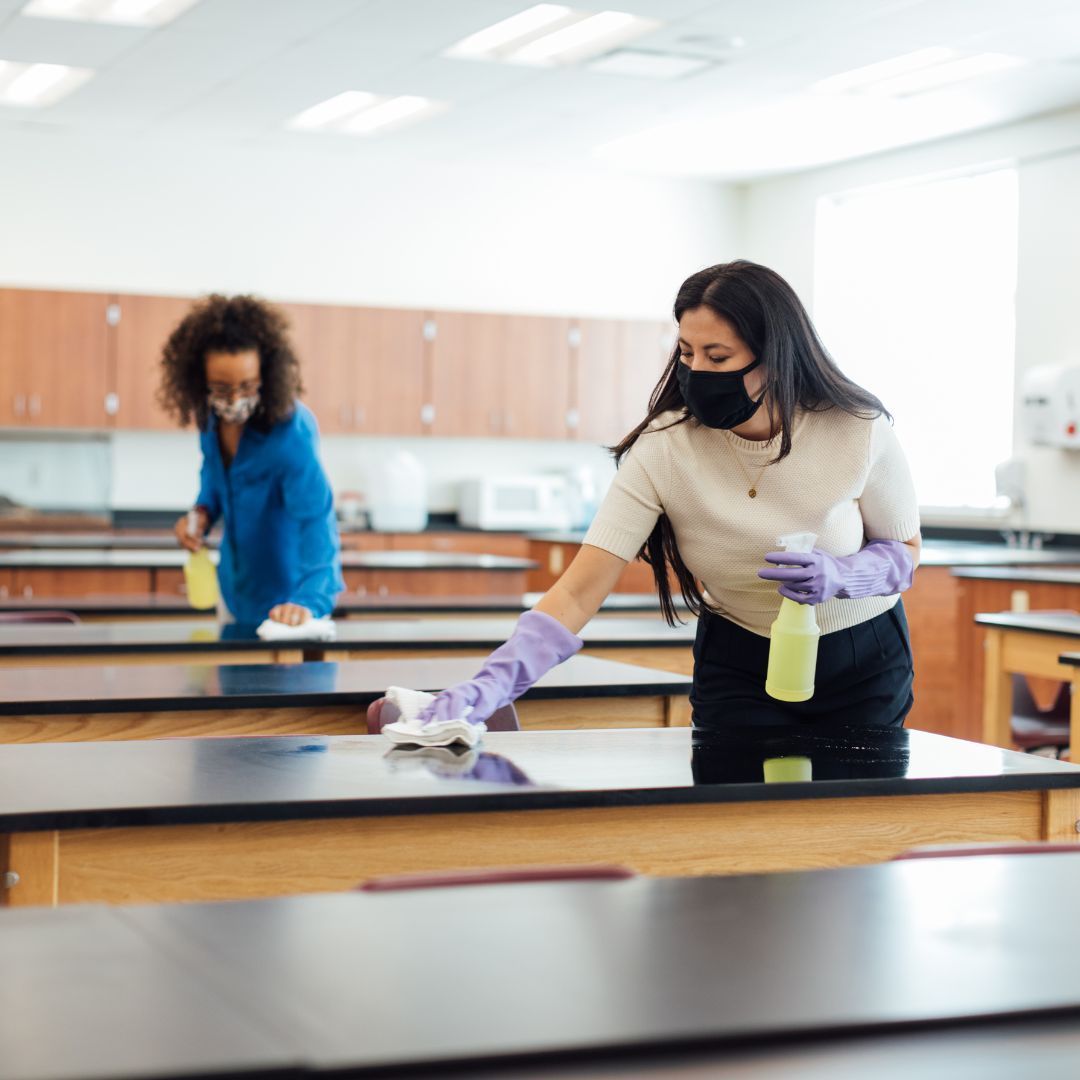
160,471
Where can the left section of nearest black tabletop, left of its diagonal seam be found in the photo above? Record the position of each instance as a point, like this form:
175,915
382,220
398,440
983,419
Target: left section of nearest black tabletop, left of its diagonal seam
86,994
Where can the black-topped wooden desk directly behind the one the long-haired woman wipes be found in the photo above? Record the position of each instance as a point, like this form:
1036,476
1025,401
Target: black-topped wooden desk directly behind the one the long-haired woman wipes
51,705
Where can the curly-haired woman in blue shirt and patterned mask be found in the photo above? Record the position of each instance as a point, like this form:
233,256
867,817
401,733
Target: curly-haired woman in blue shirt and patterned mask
231,368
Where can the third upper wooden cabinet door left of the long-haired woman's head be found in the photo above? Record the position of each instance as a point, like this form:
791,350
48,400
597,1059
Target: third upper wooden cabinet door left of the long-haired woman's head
536,377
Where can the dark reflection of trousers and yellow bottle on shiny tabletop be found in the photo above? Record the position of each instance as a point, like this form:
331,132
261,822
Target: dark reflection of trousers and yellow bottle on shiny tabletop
747,755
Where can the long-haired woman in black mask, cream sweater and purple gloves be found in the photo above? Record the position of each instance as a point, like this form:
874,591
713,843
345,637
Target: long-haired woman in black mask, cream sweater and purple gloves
752,434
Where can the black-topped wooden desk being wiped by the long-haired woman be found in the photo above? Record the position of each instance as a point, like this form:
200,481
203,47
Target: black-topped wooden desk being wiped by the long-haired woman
219,819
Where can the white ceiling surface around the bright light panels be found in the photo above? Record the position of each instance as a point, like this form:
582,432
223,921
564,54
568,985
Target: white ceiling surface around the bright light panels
237,71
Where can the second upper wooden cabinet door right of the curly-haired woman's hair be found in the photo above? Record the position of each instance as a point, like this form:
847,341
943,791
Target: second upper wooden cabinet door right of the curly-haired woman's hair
390,385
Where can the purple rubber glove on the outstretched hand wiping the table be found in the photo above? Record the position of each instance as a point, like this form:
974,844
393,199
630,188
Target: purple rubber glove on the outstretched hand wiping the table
537,645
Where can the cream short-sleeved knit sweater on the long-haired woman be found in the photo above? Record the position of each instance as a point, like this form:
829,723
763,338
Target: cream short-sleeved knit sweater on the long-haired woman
846,480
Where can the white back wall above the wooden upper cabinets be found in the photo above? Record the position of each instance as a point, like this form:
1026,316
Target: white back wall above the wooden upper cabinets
152,218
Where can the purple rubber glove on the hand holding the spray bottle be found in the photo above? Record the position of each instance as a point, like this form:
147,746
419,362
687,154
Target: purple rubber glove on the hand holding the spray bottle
882,569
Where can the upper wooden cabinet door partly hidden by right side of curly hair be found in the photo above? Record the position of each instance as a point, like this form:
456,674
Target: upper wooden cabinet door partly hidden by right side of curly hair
325,337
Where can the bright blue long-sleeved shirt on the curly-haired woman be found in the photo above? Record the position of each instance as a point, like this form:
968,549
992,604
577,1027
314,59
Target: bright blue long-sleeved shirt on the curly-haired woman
280,544
